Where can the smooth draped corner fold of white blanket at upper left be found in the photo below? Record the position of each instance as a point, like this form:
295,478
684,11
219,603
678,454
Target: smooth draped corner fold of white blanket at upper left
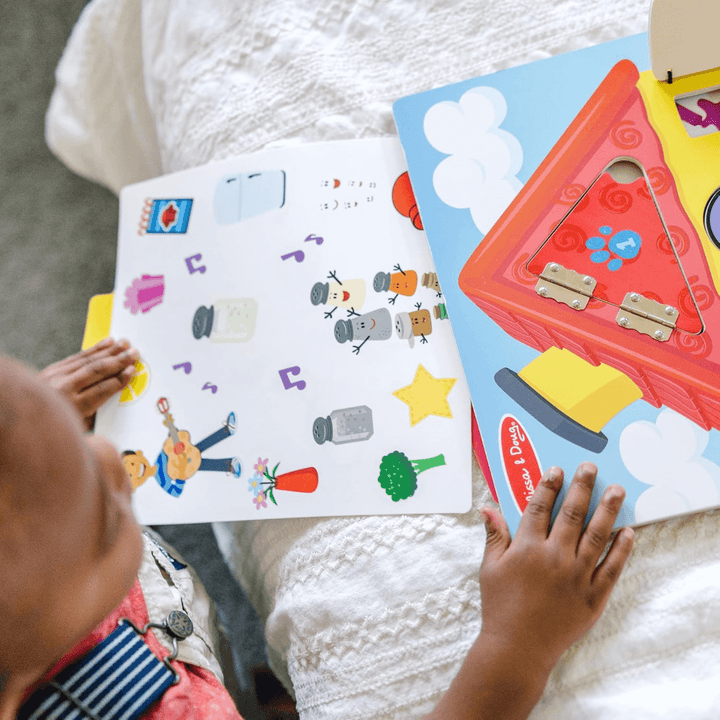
99,122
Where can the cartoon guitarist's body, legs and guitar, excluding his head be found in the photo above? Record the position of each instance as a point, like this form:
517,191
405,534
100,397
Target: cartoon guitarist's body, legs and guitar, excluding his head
179,459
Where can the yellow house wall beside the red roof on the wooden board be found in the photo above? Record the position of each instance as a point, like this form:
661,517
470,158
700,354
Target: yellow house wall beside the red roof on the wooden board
694,161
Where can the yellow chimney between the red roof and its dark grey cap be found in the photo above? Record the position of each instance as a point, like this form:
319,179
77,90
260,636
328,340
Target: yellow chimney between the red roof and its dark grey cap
590,395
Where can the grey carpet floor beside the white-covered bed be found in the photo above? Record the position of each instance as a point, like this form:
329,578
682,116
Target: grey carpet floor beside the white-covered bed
57,249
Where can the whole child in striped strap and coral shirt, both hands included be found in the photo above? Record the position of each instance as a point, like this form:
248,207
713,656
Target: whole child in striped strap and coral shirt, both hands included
81,580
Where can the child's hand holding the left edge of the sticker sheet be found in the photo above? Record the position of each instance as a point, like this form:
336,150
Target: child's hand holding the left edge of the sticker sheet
92,376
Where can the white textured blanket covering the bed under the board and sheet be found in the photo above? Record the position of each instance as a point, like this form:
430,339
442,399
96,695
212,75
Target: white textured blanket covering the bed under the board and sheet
371,617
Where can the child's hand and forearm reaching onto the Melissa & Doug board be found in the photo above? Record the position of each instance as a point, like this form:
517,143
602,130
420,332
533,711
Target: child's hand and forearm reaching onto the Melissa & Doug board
540,593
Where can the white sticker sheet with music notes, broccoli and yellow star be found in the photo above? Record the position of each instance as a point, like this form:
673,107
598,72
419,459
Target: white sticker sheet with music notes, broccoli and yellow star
296,356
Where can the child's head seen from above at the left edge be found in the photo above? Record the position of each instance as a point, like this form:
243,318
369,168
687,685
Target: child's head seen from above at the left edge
69,545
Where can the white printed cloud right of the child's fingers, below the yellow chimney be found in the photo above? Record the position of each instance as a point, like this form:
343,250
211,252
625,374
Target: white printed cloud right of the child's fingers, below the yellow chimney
667,455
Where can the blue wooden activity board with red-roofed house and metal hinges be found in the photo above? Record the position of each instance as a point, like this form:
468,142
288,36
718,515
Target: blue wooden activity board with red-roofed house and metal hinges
572,210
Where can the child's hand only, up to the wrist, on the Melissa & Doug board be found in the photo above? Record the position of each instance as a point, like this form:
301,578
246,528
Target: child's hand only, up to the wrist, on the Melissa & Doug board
545,590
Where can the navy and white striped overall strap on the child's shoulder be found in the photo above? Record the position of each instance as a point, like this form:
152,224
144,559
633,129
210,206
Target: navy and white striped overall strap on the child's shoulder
117,680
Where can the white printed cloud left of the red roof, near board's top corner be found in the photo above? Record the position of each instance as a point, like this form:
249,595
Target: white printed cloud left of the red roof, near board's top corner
479,173
